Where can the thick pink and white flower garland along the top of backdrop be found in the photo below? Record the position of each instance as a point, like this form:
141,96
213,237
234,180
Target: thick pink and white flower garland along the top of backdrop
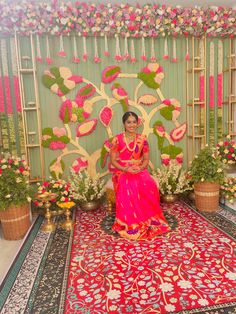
58,17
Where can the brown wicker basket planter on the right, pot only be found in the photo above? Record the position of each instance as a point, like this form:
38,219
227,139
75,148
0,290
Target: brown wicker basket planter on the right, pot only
207,196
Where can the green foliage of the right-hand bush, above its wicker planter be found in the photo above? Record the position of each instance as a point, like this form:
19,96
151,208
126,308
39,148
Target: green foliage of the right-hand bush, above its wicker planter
207,167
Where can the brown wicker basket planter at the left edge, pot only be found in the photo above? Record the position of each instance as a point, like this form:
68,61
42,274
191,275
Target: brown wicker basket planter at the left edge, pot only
15,221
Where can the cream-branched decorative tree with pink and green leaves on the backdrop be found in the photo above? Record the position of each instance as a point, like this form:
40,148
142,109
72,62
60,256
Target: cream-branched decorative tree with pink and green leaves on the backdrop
61,81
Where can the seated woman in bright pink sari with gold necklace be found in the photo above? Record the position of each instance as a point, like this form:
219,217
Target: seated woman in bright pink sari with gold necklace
138,212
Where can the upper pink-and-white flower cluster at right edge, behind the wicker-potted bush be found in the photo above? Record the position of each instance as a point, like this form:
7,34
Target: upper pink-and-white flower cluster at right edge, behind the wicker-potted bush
227,152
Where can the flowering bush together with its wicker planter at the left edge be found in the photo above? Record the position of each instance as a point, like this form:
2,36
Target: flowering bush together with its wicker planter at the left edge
15,193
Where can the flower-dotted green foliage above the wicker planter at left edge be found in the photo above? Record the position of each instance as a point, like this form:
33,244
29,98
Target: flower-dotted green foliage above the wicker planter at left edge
14,182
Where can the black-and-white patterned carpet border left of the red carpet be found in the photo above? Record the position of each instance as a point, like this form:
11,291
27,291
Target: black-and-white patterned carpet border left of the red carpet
34,274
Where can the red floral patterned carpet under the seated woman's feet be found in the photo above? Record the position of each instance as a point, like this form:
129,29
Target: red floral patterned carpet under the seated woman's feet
191,267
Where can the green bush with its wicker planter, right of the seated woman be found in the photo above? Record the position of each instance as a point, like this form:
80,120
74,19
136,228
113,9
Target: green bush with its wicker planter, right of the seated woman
207,174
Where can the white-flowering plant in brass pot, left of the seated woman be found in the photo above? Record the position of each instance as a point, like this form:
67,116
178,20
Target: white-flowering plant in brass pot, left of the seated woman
86,190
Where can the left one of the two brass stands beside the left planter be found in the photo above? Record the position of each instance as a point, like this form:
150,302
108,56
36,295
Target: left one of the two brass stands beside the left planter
46,197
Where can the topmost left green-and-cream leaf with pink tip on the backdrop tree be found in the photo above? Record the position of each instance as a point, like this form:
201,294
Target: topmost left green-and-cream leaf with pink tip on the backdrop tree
60,80
